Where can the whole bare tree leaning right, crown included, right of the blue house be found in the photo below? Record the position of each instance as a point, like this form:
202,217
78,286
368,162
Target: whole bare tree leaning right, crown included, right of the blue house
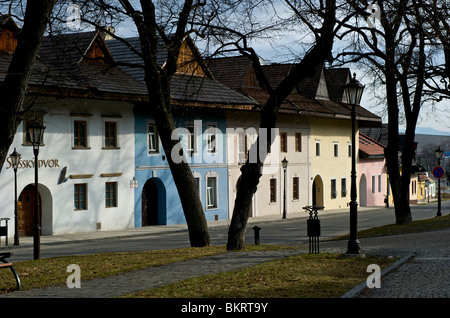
233,26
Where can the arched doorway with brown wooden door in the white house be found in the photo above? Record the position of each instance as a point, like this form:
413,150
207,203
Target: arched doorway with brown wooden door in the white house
25,208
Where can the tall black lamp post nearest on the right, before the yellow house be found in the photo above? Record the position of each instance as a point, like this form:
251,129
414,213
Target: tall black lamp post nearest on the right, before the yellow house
353,91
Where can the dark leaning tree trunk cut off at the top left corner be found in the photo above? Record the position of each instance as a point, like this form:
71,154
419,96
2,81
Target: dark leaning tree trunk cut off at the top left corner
14,88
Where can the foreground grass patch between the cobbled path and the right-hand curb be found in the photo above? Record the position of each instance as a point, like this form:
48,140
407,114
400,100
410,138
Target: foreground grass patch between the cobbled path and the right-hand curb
301,276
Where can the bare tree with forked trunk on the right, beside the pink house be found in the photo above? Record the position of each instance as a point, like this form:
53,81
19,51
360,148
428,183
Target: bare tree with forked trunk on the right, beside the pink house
395,49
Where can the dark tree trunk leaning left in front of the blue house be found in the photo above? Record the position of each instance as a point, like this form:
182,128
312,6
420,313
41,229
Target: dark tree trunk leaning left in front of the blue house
158,86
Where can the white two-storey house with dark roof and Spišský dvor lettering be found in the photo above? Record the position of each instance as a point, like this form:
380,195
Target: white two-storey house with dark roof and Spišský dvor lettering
86,158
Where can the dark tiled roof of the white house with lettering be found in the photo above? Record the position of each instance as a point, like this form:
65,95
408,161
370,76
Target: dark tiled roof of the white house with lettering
61,66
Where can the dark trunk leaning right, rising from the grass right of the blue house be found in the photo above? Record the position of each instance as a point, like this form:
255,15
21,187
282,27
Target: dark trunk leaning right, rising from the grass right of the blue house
251,172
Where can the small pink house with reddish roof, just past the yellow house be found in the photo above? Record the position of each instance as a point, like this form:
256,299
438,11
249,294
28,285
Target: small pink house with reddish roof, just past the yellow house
371,172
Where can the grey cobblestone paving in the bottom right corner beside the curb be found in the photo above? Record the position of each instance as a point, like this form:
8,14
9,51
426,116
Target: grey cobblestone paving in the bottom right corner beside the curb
425,275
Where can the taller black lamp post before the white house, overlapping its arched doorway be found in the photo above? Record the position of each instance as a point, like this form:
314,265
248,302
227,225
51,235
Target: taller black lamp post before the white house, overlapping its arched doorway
36,130
